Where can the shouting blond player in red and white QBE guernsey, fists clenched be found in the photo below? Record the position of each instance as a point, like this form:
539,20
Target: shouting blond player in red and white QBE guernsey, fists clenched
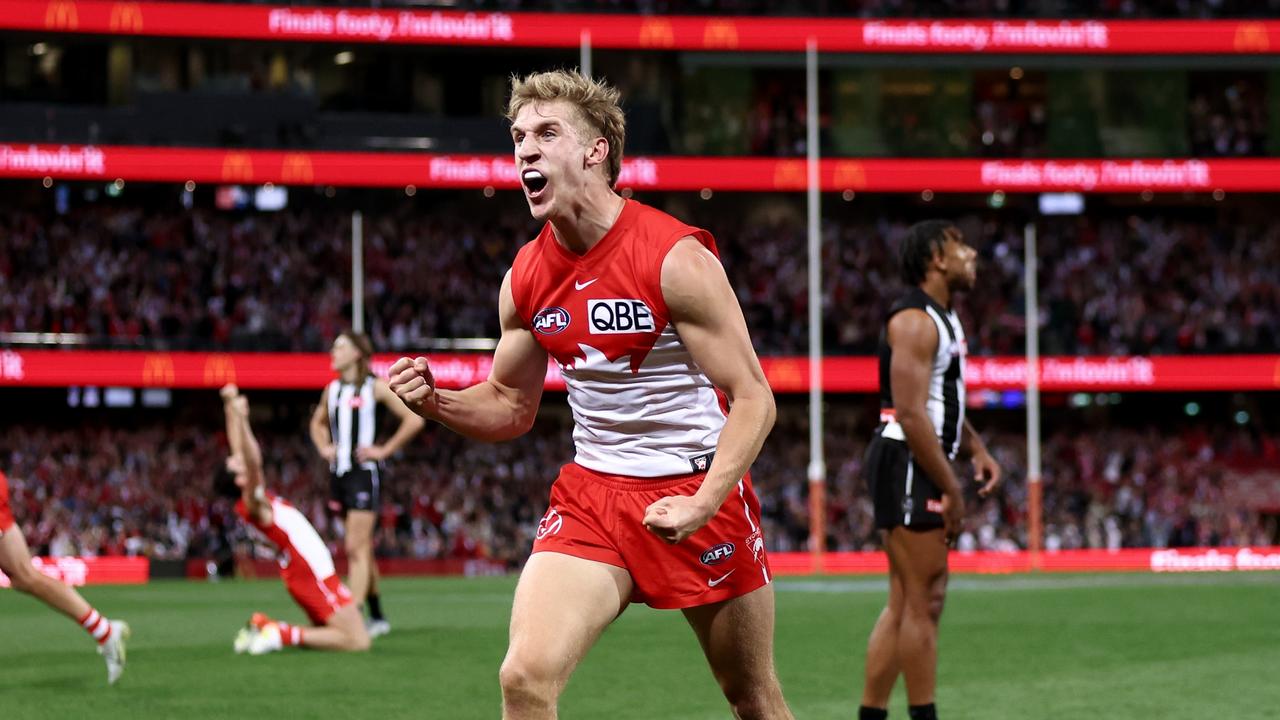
657,507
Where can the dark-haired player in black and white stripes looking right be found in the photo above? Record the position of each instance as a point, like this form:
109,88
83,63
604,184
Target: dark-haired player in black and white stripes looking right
918,502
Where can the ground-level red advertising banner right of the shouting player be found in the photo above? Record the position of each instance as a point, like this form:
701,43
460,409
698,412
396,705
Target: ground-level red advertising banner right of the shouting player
1131,560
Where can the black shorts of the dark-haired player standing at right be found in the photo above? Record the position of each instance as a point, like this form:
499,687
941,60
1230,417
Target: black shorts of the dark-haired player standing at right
902,491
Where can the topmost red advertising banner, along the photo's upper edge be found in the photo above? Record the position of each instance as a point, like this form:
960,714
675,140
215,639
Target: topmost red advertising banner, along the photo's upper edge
637,33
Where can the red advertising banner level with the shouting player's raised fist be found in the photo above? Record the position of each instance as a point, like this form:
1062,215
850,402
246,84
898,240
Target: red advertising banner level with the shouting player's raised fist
310,371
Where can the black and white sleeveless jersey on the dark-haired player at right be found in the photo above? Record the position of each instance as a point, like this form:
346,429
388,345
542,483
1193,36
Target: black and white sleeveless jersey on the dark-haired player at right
947,399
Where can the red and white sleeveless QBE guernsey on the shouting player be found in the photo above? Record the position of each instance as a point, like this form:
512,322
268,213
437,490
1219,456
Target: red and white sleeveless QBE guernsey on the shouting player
642,405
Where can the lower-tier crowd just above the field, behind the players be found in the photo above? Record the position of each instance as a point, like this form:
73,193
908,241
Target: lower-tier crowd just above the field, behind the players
99,490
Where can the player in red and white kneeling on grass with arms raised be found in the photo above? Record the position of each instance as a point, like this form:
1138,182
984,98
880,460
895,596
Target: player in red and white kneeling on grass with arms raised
307,566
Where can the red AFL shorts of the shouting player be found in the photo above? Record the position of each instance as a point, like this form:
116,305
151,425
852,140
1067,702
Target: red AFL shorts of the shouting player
600,517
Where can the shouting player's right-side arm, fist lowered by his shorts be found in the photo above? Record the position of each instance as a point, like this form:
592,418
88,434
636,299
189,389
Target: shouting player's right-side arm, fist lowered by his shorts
710,321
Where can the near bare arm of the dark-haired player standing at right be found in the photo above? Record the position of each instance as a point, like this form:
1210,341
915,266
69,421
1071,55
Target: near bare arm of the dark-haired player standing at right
915,340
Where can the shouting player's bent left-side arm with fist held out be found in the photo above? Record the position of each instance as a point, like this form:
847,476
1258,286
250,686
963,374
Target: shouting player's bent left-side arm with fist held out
501,408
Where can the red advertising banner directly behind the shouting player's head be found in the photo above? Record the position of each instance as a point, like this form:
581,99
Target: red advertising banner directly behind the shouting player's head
670,174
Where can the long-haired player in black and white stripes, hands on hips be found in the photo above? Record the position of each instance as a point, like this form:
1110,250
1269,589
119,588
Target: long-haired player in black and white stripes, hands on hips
345,430
